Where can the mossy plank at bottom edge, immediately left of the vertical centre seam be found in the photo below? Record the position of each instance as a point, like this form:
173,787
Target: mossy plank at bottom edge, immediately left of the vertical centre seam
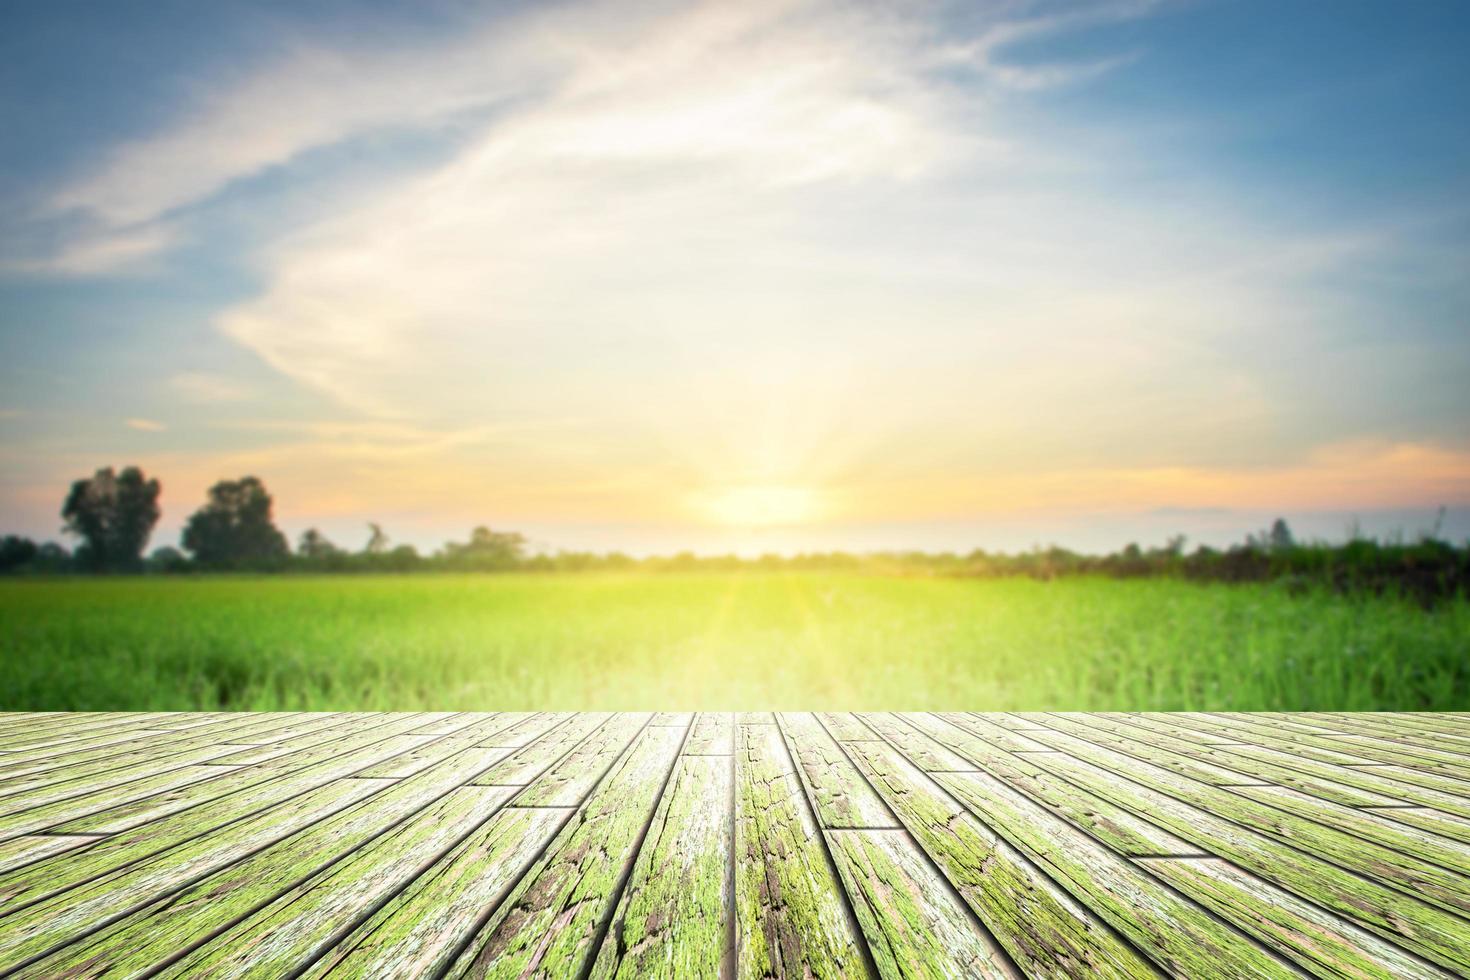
673,918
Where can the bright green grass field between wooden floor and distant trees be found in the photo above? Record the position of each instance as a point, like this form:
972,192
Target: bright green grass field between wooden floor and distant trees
718,643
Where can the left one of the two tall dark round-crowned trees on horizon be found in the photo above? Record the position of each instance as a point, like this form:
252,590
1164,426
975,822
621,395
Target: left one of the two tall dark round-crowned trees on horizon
114,515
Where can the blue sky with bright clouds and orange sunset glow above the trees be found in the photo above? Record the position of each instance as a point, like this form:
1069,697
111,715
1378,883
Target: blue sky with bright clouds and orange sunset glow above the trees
761,275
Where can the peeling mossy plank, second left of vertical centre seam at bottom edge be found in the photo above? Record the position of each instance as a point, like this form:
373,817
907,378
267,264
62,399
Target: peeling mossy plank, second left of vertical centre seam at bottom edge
553,922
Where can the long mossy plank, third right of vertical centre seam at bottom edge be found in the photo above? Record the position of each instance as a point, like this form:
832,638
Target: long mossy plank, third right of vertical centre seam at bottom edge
1044,931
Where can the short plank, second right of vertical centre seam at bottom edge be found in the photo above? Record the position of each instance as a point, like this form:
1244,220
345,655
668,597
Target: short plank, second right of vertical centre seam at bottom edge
914,926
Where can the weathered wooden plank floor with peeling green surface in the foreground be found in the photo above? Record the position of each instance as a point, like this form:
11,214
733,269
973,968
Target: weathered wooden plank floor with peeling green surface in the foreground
755,846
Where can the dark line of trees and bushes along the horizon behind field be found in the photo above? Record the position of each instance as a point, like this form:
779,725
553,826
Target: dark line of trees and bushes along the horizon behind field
112,516
